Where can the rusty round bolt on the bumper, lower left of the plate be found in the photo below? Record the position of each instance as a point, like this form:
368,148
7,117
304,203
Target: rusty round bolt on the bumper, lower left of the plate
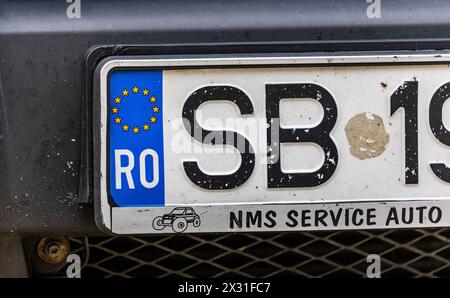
53,250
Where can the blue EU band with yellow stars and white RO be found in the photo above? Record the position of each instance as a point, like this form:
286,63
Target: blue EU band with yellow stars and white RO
136,145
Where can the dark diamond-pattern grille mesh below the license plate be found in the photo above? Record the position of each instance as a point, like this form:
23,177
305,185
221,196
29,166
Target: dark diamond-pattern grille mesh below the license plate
404,253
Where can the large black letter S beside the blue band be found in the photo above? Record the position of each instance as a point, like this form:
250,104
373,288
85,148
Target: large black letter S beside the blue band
239,98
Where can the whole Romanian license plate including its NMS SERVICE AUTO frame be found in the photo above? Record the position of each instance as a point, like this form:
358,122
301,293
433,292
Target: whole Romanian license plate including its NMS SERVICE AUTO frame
229,144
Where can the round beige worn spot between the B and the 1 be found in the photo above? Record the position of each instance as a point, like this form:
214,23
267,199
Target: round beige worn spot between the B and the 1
366,135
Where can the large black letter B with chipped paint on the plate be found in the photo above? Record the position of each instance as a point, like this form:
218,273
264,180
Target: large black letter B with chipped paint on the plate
319,135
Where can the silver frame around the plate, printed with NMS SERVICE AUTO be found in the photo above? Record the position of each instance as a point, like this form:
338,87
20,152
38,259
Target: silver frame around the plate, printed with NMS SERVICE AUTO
217,218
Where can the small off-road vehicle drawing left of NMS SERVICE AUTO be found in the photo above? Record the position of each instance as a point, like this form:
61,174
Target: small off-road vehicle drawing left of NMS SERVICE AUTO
178,219
